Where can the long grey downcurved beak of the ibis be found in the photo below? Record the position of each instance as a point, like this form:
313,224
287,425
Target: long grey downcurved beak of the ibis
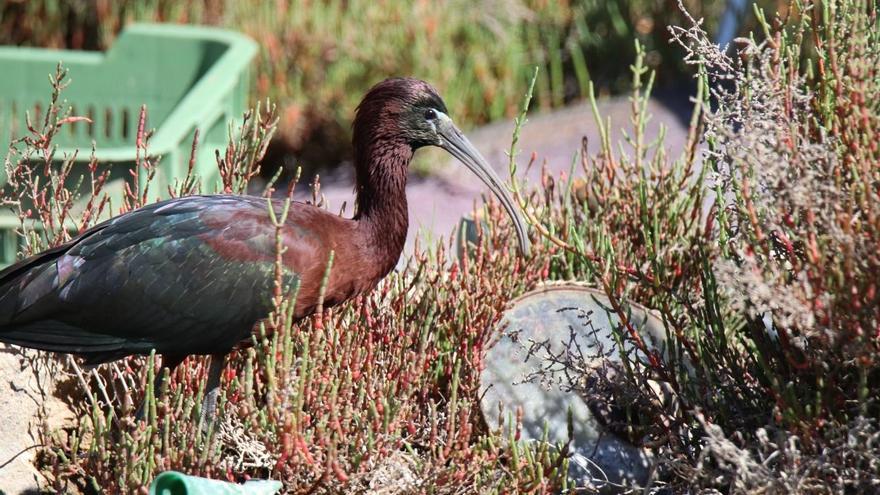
458,146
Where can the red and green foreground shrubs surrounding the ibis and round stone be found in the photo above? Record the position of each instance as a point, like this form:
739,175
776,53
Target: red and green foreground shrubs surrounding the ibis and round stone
767,215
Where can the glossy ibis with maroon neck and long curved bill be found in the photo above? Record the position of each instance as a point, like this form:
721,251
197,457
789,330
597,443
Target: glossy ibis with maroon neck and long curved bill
194,275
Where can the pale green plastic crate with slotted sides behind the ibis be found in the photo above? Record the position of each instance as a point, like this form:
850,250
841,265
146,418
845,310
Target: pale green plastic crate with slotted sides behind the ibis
189,78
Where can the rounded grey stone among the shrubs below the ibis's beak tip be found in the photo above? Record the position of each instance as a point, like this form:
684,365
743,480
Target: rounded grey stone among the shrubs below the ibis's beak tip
549,336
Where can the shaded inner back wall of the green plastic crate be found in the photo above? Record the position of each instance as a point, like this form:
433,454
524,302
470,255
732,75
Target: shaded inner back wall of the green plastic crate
141,68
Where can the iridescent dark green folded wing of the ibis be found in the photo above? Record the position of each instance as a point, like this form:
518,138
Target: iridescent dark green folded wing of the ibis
191,274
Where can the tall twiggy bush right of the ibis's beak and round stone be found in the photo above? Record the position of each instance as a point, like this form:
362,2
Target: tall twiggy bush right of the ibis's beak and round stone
759,251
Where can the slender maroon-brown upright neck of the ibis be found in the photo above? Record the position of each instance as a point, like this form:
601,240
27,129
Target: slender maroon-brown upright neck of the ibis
382,165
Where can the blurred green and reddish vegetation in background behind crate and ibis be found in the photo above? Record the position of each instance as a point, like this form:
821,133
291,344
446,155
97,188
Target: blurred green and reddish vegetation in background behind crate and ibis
318,57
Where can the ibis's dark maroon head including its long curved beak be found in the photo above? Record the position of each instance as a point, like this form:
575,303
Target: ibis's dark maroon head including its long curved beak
411,110
